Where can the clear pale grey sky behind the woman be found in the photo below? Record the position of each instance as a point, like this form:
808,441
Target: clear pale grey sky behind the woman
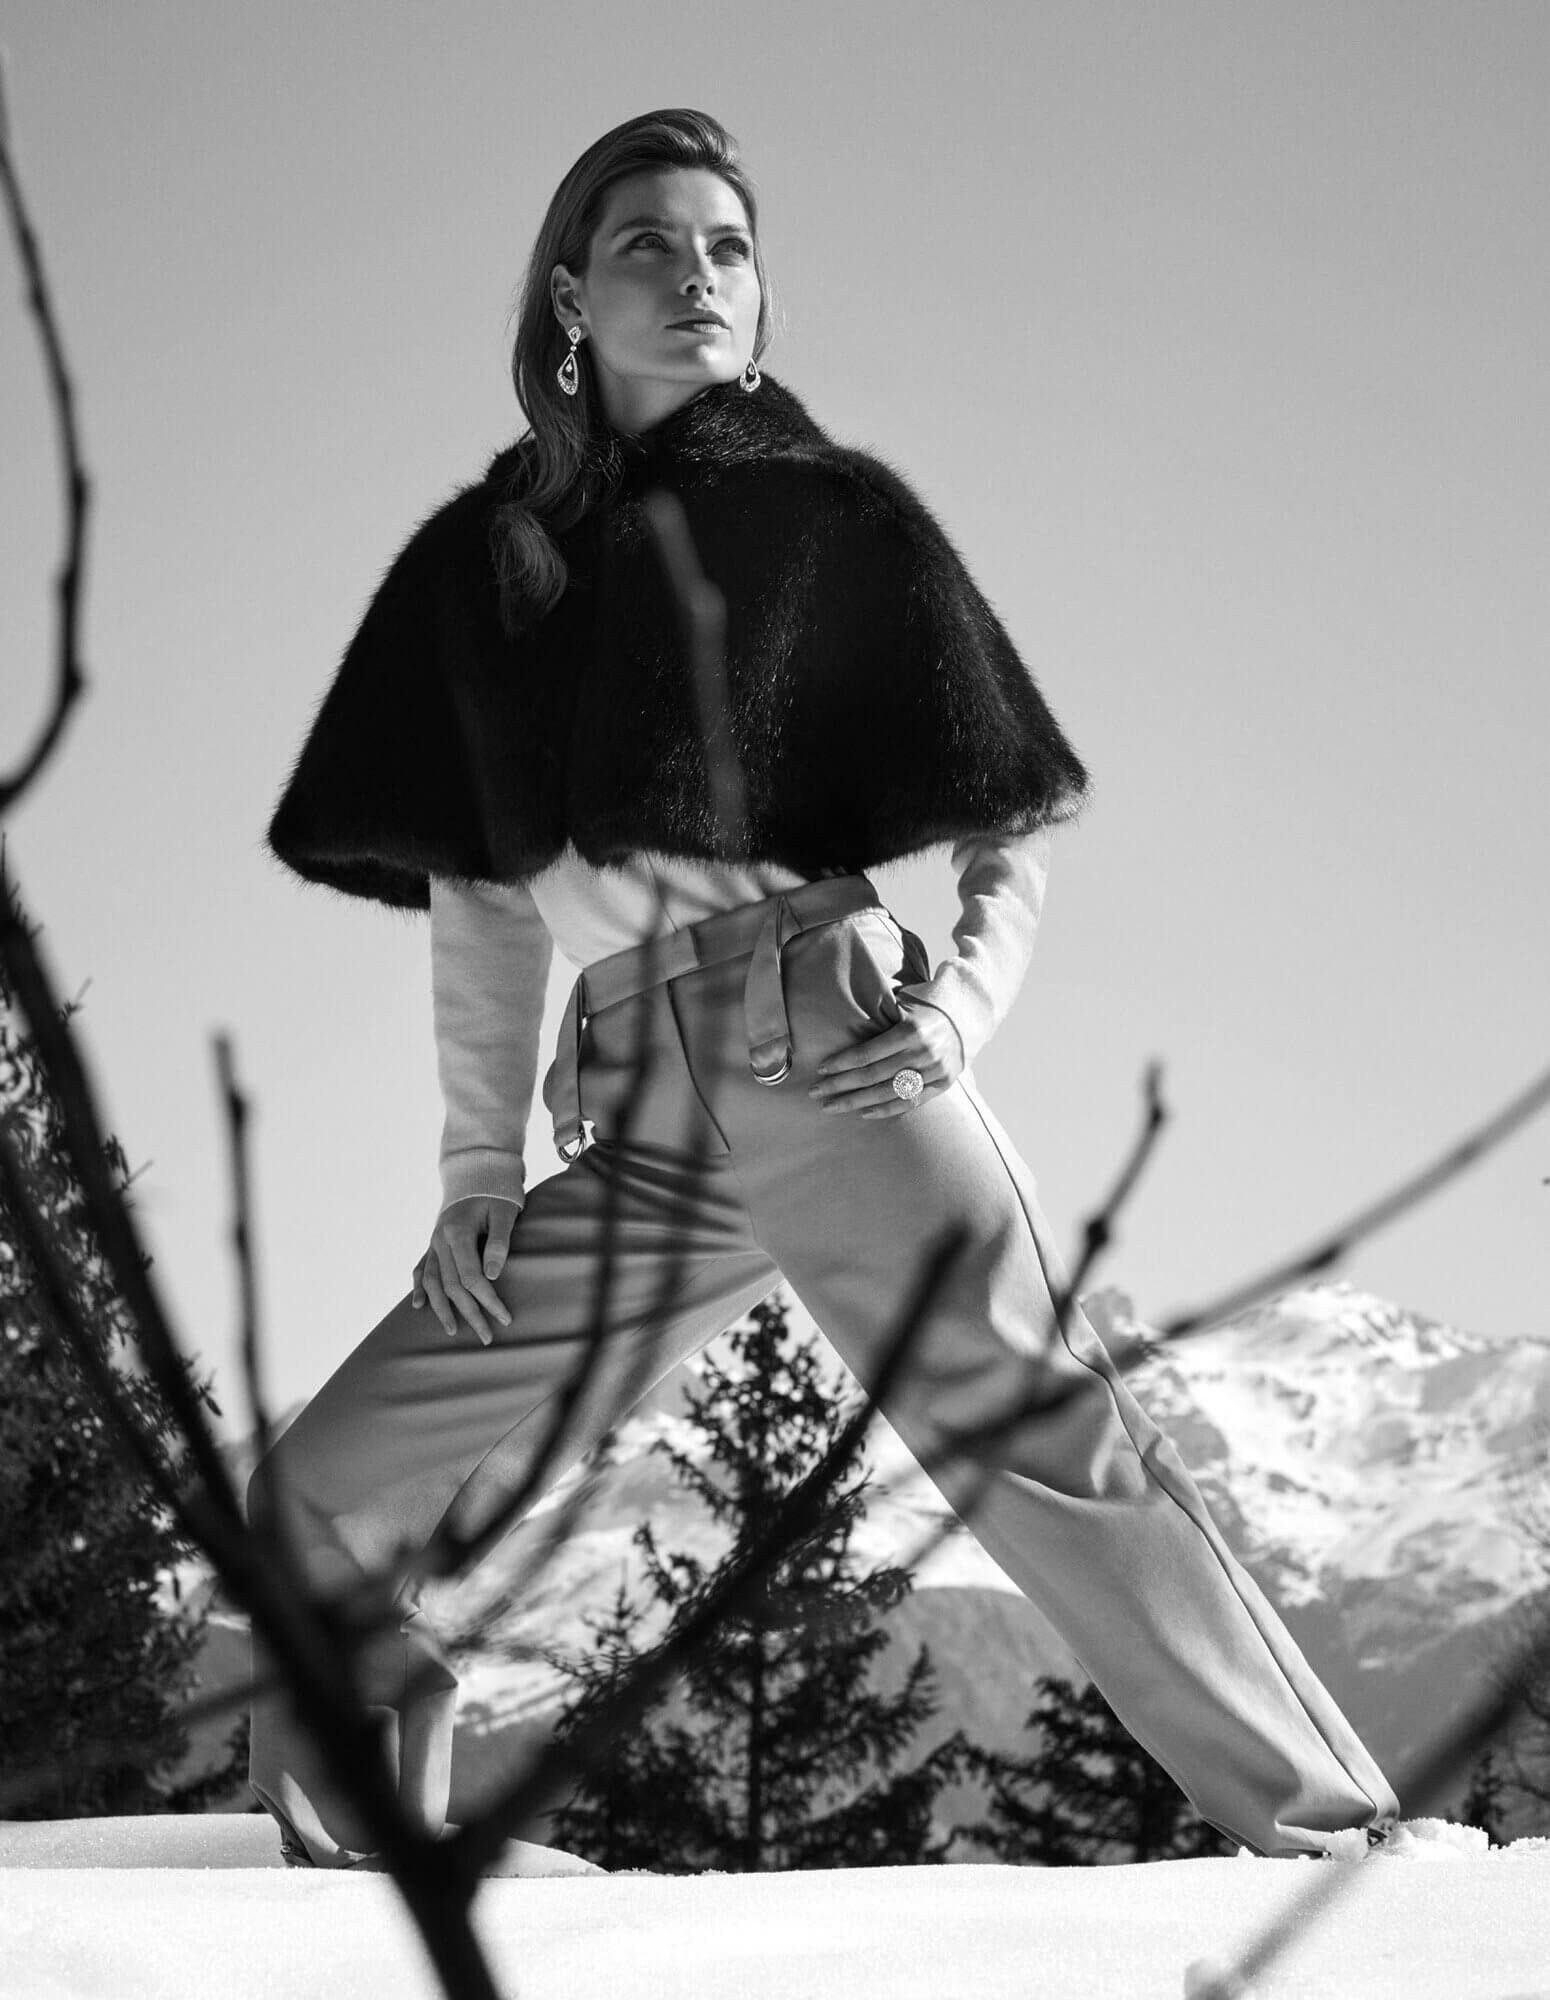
1213,333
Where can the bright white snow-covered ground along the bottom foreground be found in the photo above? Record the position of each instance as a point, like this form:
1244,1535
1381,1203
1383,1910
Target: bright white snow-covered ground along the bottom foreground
199,1907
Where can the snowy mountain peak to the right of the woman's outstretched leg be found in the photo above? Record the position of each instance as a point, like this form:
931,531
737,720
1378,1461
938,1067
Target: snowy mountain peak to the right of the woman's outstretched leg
1379,1473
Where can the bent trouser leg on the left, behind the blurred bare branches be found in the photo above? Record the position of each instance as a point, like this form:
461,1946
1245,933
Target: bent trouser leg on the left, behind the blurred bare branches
417,1425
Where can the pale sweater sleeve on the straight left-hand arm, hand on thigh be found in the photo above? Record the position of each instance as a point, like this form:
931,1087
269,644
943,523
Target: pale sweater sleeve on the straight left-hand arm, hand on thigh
489,971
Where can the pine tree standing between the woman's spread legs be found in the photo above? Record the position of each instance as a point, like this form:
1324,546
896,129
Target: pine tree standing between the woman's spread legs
787,1757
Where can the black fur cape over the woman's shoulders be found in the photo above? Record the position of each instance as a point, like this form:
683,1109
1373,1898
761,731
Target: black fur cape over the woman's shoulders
875,699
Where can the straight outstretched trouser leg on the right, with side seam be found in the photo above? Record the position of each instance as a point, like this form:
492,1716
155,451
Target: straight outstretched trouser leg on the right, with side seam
1087,1507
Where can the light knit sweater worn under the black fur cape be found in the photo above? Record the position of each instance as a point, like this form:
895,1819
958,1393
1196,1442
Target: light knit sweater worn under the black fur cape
491,951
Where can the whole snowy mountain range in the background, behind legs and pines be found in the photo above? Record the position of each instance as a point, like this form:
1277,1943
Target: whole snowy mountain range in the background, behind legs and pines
1371,1467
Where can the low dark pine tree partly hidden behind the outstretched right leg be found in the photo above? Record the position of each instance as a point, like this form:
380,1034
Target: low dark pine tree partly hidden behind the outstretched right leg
1089,1793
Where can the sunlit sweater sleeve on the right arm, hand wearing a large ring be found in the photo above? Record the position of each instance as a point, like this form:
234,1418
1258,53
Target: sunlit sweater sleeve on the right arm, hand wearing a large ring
1001,889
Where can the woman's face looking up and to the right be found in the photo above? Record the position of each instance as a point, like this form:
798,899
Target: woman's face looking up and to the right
669,245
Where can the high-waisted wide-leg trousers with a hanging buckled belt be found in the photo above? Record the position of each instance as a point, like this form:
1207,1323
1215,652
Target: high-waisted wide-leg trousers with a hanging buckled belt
717,1177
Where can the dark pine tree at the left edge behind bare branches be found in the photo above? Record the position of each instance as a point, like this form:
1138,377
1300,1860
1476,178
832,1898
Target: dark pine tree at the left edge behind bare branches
93,1659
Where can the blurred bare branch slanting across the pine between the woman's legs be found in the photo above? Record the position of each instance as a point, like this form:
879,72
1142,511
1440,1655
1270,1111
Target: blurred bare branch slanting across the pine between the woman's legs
565,1763
